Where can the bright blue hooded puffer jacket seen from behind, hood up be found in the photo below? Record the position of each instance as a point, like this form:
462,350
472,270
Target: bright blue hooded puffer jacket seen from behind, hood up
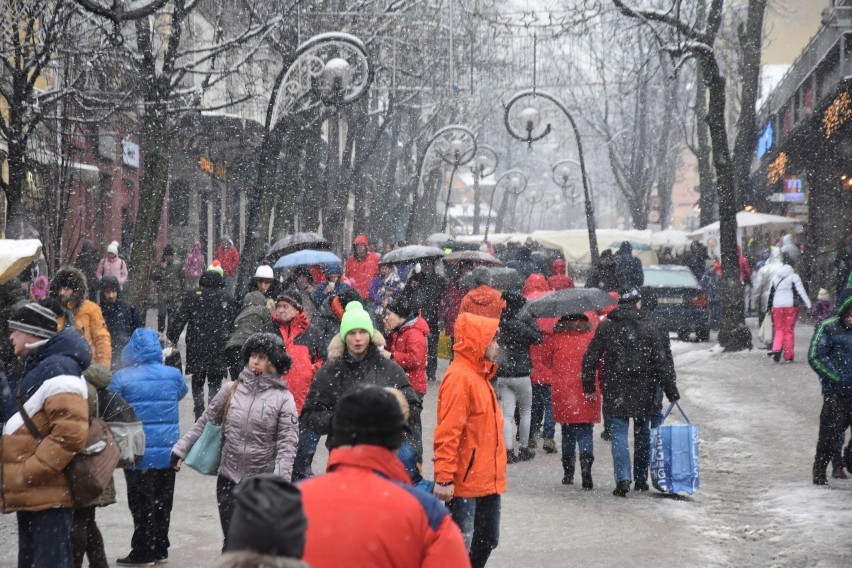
154,391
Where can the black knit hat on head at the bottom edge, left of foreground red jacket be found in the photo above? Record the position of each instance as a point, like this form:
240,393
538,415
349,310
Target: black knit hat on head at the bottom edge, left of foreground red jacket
267,518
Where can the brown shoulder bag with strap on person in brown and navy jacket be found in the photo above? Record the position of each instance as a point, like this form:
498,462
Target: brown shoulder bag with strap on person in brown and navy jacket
90,471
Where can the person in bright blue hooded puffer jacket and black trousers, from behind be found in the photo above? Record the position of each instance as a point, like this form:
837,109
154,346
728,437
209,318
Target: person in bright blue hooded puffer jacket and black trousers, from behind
154,391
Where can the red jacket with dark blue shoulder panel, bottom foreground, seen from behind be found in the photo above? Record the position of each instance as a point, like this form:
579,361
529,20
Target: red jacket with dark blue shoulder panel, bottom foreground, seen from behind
365,512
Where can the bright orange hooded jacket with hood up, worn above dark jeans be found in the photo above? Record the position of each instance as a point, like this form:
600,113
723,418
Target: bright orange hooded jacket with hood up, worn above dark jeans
469,446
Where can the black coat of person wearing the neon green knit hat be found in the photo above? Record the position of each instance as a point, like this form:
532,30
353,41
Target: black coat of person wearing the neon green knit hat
340,373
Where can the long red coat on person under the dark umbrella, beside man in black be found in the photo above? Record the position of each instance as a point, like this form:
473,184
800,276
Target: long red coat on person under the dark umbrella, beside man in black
564,352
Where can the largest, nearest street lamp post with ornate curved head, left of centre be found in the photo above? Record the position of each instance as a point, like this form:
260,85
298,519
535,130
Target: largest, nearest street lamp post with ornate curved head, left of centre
325,73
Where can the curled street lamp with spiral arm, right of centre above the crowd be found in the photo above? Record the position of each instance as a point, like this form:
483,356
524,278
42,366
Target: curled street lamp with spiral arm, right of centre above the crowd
529,119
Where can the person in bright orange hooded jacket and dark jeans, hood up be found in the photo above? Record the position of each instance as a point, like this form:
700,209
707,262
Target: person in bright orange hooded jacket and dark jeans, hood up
470,455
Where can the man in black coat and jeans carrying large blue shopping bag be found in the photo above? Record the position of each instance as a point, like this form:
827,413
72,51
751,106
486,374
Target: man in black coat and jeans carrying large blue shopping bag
628,350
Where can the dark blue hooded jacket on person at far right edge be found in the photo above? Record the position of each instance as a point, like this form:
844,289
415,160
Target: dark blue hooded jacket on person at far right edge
830,354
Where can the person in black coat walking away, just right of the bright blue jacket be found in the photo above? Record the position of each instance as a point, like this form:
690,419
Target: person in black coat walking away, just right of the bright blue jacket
208,315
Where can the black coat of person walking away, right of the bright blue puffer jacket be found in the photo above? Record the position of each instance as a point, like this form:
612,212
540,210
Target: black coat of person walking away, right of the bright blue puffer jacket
208,314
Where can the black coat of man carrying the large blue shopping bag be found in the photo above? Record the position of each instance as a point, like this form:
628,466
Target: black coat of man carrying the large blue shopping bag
634,363
